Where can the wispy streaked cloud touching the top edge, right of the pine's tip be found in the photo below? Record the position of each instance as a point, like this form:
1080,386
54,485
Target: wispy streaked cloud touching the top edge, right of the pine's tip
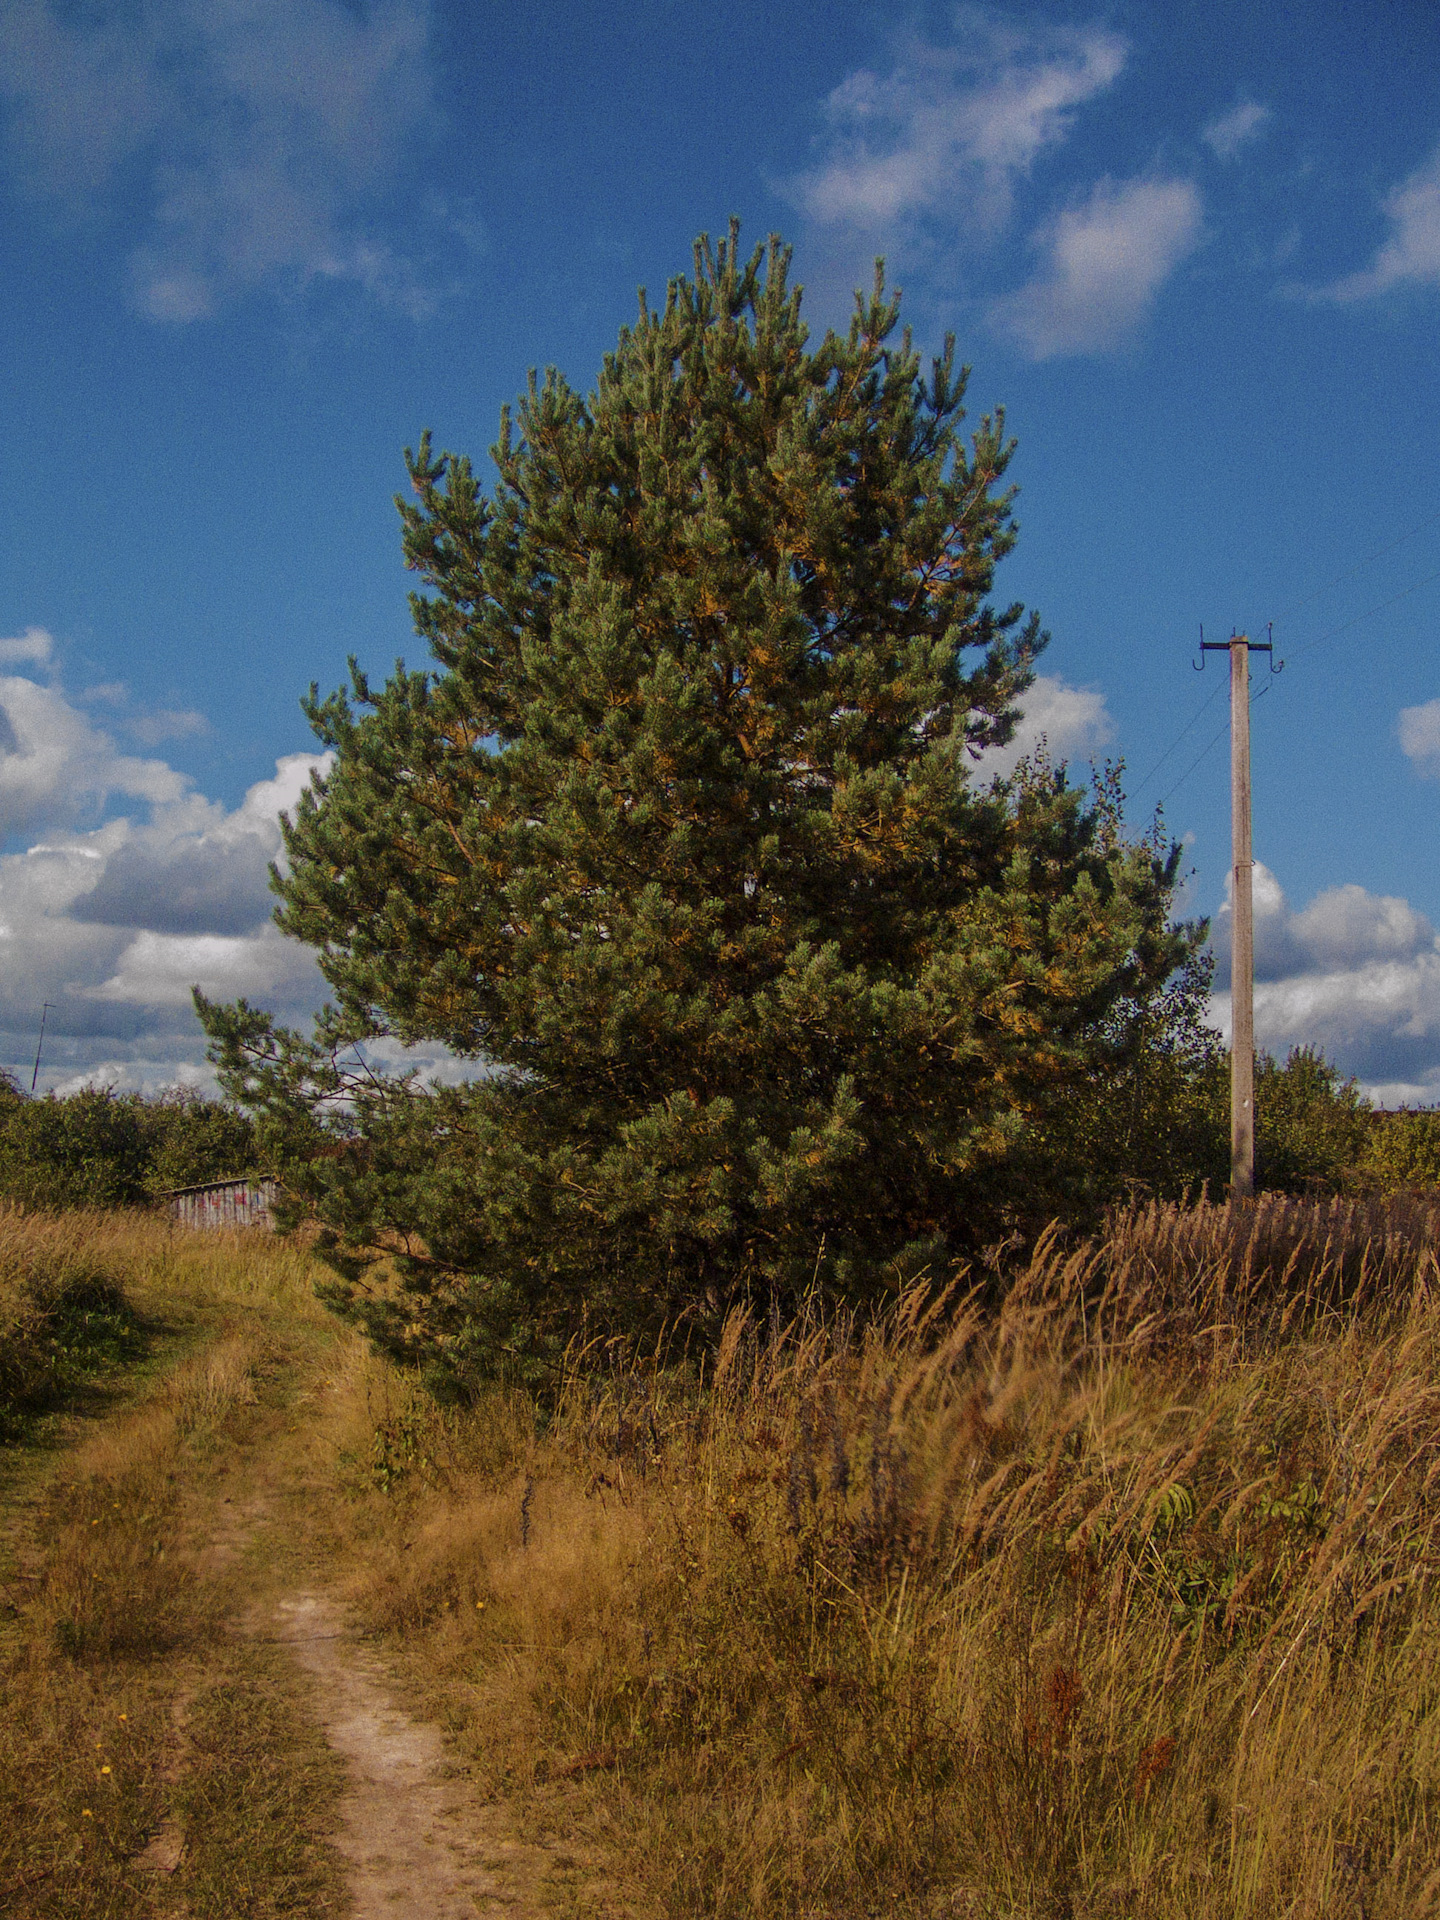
951,130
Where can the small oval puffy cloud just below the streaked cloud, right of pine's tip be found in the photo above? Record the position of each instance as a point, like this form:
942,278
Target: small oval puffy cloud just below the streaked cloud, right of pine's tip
1105,262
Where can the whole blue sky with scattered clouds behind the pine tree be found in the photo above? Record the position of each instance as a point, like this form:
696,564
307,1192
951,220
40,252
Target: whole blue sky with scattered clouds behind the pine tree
252,247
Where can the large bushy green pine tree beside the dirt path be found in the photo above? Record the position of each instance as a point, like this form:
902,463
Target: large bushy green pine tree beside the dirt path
681,842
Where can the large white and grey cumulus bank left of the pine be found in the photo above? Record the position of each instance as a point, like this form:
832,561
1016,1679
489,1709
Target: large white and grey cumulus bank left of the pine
126,888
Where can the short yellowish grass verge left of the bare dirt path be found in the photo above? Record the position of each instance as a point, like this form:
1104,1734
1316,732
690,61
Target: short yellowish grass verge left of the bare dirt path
126,1706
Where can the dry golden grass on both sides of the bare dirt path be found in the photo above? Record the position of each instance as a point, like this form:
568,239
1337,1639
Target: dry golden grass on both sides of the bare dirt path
1115,1598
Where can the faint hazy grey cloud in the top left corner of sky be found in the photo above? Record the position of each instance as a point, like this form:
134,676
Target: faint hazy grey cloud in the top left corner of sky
245,143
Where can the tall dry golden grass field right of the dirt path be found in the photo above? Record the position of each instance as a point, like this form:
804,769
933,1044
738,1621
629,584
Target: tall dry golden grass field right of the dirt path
1115,1602
